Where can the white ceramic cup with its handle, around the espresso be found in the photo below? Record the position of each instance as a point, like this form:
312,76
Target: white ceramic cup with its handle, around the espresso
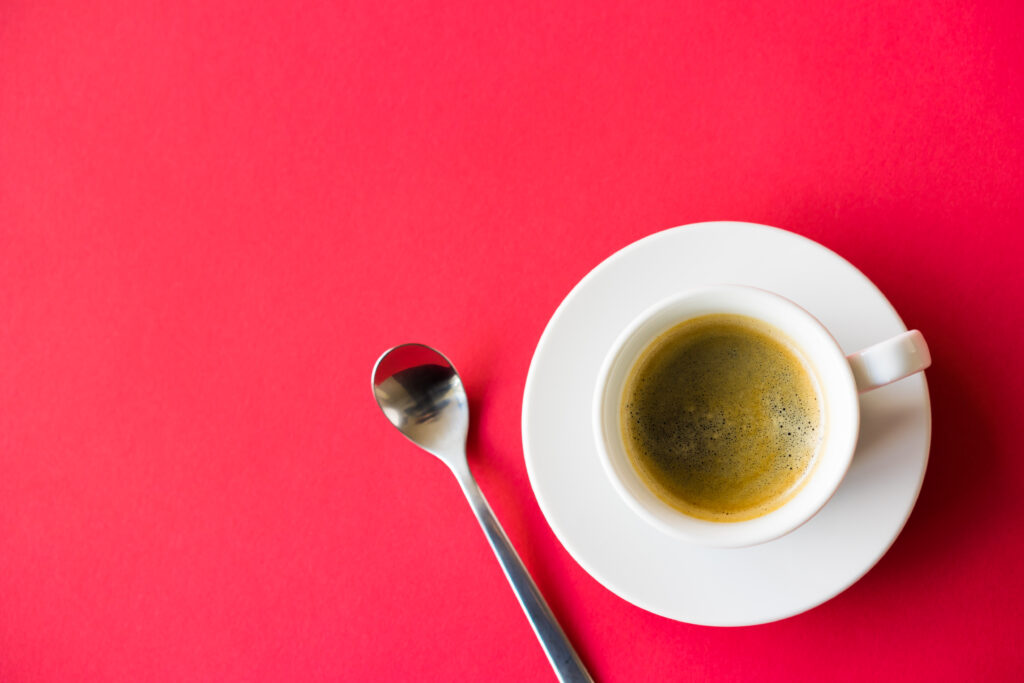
839,380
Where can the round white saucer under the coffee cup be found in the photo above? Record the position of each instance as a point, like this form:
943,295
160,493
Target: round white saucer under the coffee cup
661,574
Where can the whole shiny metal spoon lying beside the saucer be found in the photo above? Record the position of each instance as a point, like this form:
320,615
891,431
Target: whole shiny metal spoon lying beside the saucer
421,394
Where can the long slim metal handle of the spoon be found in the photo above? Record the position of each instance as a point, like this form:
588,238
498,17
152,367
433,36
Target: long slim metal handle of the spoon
557,646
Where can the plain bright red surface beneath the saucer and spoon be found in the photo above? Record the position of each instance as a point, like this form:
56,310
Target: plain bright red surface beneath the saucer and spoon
216,216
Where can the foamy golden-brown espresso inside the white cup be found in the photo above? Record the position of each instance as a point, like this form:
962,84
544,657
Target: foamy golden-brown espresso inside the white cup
721,418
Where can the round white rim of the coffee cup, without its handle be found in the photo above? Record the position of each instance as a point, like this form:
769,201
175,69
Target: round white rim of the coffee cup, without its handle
770,526
